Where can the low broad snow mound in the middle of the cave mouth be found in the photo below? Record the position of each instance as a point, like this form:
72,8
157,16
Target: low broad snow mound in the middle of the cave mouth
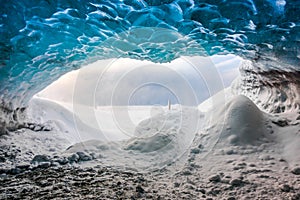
157,142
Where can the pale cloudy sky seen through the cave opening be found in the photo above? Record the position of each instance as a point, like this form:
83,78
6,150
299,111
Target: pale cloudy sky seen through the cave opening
147,88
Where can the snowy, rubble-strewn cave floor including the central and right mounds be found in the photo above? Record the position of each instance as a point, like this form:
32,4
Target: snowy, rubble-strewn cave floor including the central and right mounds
224,149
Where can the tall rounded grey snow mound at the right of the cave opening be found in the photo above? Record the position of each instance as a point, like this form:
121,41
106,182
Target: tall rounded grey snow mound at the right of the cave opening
239,122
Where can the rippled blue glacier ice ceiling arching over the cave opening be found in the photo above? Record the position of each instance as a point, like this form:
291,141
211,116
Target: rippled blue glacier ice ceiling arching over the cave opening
42,39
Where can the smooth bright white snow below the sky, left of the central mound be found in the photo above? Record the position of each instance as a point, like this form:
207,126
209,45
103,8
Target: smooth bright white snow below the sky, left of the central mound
100,123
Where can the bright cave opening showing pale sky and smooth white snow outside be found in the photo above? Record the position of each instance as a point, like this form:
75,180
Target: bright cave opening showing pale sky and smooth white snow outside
106,100
